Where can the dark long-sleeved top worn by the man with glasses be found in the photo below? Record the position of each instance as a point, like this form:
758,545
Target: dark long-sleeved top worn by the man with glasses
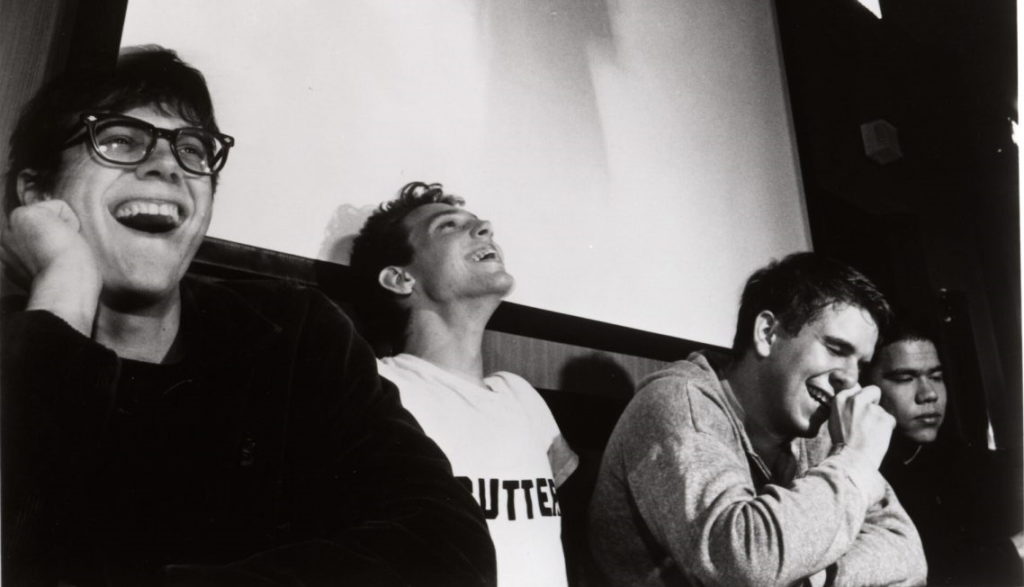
272,455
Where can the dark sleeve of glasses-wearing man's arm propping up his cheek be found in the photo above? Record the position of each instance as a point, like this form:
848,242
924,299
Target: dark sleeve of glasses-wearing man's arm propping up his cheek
58,393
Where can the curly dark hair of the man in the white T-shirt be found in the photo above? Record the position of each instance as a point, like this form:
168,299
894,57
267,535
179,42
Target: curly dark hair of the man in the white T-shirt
385,242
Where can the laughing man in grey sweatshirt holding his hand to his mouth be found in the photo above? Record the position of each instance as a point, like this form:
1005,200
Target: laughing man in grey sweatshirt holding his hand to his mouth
719,476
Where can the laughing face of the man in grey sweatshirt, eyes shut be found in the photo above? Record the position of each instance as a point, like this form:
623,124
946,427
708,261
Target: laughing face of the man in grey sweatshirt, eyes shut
803,372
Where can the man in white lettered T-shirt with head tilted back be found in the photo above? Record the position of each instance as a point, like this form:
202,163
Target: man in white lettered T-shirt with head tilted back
439,277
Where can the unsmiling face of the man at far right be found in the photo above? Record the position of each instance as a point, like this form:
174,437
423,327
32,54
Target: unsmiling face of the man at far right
913,389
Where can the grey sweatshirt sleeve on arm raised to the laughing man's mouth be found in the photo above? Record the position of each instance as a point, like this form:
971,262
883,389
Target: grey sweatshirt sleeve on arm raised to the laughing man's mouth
693,485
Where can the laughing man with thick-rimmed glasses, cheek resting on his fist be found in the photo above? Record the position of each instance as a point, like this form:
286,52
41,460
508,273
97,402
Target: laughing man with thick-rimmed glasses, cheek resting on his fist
159,430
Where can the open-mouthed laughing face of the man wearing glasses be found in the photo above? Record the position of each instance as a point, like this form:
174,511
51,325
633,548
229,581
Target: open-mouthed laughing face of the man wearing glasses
144,223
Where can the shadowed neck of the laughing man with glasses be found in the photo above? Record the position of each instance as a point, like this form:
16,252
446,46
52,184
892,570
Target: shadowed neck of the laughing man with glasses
142,333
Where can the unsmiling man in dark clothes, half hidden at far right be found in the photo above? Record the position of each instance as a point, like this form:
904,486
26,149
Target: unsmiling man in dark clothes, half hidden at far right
966,501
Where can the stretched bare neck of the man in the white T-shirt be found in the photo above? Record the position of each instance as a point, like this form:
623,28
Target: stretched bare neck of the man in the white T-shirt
452,337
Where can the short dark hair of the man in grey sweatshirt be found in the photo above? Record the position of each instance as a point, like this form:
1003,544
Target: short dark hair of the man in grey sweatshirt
797,288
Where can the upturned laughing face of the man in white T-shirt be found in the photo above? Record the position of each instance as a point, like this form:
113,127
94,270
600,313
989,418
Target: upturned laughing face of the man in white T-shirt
455,256
